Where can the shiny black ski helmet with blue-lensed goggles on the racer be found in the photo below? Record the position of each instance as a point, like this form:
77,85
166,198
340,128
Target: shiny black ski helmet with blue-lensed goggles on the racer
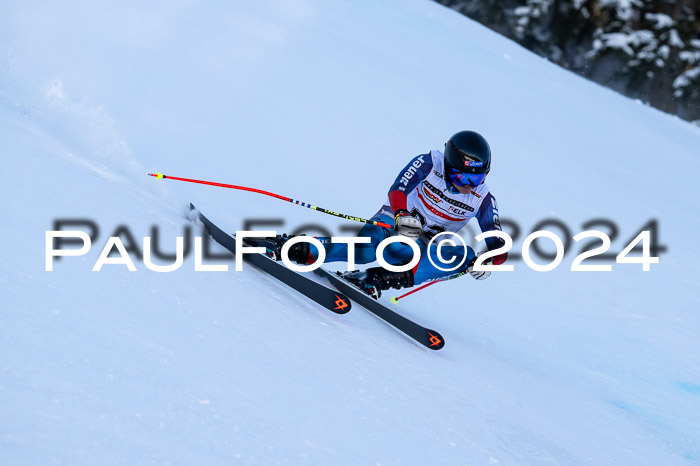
468,152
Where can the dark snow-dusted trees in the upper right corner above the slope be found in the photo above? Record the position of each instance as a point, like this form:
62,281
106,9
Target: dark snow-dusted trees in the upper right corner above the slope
645,49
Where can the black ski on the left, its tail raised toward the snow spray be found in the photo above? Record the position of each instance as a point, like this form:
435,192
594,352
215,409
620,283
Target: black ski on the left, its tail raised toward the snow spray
330,299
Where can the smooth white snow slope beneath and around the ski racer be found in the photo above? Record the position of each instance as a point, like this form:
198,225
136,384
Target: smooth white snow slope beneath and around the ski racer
325,102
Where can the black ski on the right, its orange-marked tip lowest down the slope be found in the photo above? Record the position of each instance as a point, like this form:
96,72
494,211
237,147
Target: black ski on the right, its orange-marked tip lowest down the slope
426,337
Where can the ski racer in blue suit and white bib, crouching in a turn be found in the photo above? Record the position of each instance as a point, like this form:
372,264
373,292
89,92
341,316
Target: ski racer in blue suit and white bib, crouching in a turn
436,192
